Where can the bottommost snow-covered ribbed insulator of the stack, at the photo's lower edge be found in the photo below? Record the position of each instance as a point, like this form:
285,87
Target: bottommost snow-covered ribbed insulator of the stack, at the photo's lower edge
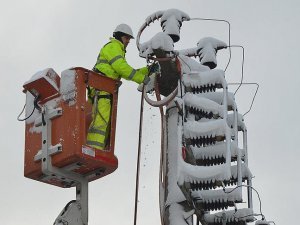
232,217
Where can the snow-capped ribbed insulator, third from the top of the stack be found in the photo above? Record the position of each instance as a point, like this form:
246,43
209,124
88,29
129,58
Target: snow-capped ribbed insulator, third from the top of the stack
205,133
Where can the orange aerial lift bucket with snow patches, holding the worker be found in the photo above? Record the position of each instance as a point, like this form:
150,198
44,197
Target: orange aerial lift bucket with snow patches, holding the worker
70,115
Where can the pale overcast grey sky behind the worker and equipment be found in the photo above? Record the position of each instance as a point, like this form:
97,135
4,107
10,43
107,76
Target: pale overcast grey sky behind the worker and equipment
37,34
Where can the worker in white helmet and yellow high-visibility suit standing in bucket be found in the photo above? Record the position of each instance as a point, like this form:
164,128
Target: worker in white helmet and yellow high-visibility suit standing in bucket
112,63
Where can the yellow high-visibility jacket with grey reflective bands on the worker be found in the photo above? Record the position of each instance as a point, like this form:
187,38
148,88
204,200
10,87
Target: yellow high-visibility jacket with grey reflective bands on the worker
111,62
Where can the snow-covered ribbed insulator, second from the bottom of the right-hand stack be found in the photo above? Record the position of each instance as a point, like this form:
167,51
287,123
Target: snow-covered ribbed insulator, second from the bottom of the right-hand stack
217,199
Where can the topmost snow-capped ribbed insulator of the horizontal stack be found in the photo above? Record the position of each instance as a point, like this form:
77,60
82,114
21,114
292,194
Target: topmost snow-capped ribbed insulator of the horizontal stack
205,81
